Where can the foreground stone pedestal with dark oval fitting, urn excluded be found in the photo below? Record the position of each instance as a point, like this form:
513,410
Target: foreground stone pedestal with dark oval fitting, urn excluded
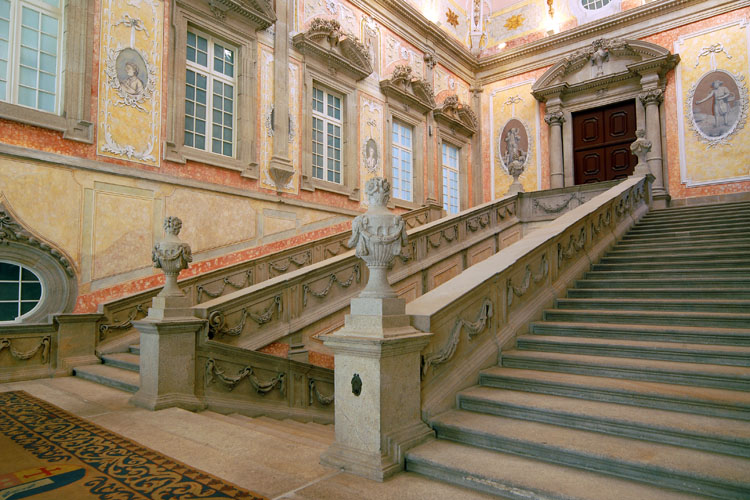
378,402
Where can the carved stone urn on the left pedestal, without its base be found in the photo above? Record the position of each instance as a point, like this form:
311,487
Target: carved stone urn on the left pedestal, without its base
171,255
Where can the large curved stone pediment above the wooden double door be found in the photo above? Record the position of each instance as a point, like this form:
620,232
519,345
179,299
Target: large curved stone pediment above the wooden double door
601,63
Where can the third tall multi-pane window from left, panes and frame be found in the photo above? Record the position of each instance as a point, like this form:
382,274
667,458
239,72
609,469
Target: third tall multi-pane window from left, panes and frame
326,135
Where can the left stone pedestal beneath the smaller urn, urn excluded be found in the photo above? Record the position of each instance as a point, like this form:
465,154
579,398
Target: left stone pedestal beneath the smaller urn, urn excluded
168,363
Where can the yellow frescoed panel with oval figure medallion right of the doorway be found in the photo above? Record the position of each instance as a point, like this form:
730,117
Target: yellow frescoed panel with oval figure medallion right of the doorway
712,96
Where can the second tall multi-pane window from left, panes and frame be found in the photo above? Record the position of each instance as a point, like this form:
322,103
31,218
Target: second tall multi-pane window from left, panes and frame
209,95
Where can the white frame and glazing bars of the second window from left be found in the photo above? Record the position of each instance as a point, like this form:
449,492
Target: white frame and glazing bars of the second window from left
212,77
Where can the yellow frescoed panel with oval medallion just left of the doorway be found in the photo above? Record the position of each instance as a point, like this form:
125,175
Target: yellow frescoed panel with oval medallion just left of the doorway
514,138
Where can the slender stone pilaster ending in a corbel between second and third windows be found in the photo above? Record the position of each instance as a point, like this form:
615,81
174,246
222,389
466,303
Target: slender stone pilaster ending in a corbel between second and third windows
281,168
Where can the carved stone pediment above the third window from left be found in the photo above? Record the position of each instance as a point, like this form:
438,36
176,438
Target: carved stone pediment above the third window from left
342,51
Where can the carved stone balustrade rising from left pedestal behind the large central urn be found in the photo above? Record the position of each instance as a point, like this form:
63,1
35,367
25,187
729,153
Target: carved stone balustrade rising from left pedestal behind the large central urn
427,247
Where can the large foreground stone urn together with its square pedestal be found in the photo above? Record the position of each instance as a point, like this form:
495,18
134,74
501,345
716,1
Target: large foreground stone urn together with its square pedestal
377,382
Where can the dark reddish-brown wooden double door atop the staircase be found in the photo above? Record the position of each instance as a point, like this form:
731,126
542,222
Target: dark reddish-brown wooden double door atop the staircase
601,143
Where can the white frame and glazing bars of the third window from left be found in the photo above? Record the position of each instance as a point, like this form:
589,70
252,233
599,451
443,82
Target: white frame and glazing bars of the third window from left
328,145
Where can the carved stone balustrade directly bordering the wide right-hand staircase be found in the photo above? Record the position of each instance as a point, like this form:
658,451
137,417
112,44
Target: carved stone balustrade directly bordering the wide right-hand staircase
556,254
